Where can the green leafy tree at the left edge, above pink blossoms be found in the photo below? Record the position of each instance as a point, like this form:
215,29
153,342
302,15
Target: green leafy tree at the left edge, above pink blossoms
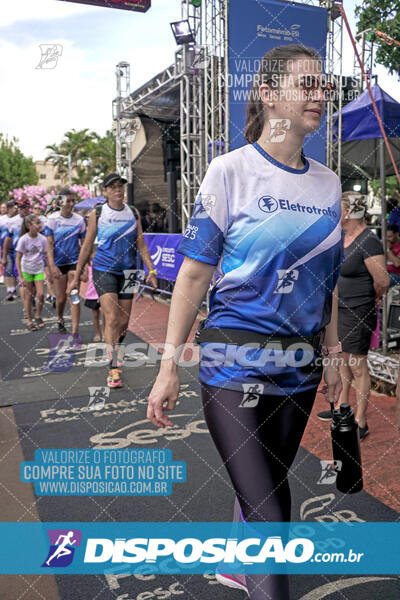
16,169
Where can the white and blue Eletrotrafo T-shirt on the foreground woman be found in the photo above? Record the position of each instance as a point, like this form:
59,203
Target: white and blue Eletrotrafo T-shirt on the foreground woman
274,233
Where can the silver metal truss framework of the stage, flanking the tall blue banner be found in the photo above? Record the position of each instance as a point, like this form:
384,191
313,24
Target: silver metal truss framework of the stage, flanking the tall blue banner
201,71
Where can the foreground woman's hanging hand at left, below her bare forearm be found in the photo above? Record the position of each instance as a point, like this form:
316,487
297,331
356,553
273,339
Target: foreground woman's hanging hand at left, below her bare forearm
162,398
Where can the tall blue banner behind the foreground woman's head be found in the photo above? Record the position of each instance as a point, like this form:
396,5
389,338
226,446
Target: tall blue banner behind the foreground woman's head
255,29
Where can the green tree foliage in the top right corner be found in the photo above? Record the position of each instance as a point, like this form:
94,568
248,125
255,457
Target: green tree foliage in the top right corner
383,15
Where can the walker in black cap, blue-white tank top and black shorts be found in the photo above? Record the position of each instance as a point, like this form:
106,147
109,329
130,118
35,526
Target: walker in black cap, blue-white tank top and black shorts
119,237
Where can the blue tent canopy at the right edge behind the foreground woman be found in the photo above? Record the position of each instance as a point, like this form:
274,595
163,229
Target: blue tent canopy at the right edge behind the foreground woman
362,137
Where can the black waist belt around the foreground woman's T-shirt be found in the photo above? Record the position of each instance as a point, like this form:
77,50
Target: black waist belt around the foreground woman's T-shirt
242,337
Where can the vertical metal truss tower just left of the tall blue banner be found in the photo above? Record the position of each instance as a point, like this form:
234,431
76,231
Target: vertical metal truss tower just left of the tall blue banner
204,96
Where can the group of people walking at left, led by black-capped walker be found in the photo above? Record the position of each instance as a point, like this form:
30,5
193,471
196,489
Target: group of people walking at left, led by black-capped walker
58,250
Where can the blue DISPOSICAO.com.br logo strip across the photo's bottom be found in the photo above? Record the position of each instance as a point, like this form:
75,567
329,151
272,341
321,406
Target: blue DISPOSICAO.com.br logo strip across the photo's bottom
195,548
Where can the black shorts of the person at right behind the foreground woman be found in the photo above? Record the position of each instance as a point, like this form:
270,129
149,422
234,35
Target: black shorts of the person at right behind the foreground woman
356,325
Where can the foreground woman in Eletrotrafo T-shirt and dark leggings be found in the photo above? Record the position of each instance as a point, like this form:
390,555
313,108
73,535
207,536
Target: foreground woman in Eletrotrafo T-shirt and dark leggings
267,220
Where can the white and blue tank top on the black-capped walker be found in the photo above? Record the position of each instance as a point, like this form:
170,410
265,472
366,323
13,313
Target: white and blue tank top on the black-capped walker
116,240
